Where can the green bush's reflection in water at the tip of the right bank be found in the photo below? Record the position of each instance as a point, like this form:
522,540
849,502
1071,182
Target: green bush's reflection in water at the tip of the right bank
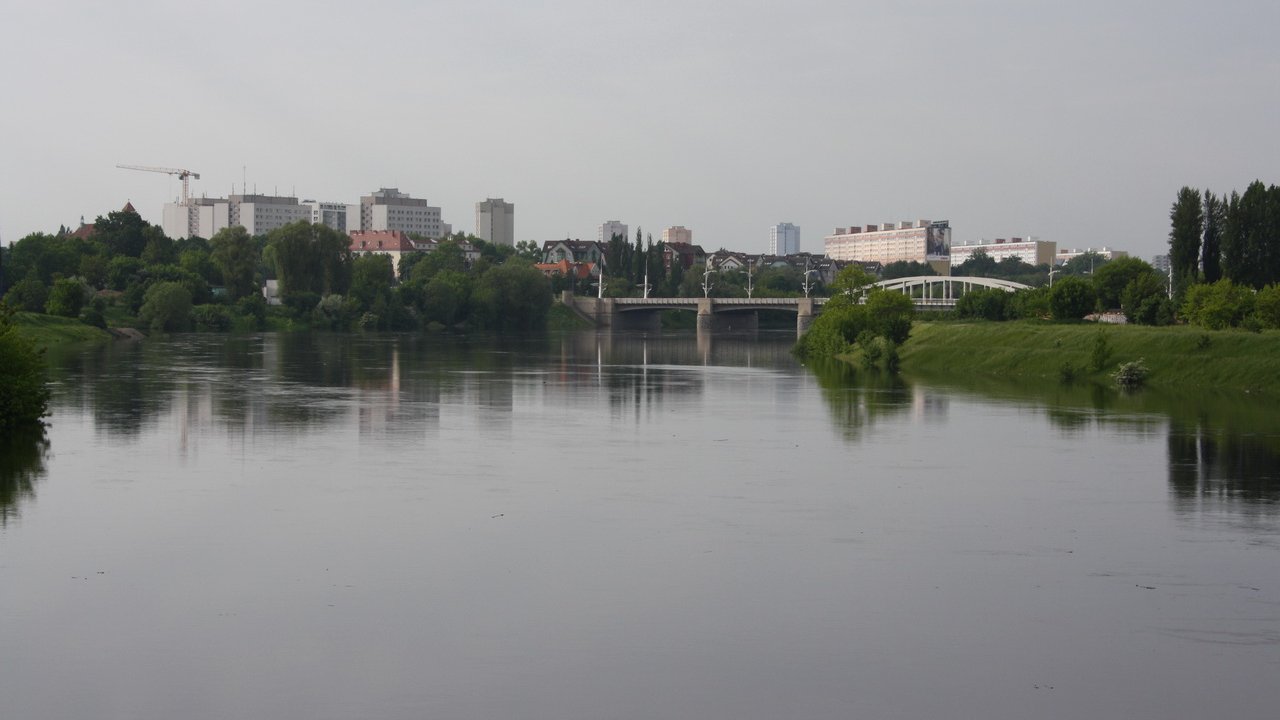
858,399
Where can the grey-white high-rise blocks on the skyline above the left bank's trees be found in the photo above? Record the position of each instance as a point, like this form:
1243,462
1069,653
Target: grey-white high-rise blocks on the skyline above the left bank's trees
383,211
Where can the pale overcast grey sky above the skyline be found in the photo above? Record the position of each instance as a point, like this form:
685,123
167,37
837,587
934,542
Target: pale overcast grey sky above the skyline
1076,122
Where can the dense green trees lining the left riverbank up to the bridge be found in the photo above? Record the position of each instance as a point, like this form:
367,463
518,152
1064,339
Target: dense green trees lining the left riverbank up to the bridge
129,271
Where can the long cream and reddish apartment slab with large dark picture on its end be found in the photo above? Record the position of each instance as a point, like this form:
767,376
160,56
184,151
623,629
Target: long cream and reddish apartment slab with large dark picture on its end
921,243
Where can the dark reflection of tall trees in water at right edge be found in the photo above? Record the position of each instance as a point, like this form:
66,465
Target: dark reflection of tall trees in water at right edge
1223,467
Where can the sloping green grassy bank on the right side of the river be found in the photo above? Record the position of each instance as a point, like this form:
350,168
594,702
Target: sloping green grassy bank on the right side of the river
1178,357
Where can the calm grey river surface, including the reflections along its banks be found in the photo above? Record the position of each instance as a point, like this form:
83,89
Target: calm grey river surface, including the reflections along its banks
596,527
